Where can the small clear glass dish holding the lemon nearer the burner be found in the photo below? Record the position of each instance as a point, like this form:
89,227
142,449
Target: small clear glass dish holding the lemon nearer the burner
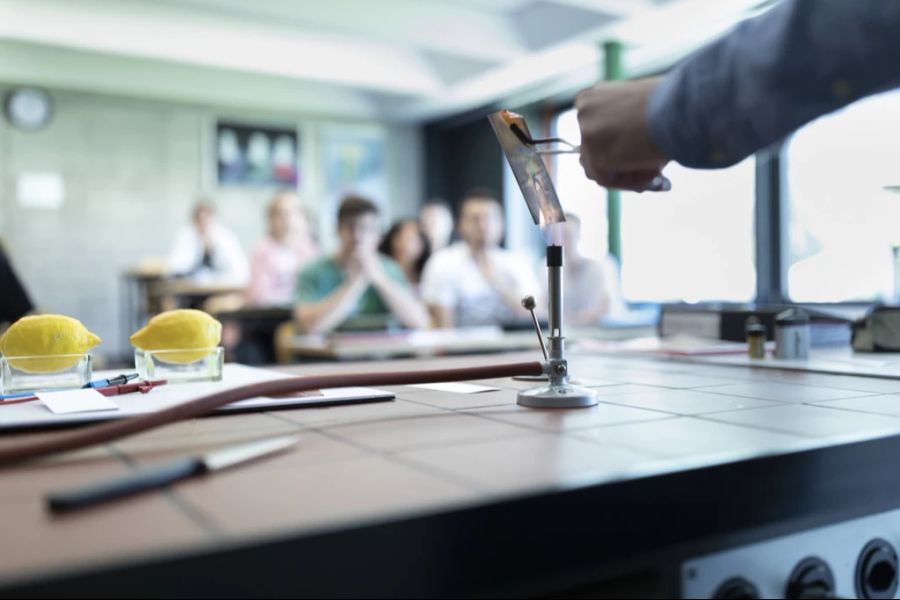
180,365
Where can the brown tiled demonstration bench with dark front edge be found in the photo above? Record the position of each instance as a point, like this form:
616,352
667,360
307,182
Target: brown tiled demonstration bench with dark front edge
448,494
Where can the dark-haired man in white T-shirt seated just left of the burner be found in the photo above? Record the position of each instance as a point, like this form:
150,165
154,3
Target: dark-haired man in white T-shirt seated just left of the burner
475,281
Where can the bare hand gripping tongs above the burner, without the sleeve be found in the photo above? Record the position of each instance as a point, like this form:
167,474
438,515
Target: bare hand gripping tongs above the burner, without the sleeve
616,148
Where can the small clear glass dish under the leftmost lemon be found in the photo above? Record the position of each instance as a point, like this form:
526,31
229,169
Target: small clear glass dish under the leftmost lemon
44,373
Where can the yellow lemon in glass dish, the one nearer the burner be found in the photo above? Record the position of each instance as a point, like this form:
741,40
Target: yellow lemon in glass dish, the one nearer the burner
183,329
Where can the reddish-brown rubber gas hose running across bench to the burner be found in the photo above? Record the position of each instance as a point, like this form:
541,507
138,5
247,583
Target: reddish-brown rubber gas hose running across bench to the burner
107,432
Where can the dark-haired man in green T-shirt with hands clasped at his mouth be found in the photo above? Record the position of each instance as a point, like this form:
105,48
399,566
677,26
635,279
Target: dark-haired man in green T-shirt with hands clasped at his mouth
356,288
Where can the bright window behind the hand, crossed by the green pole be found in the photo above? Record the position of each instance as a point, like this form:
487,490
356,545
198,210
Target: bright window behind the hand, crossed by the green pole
693,243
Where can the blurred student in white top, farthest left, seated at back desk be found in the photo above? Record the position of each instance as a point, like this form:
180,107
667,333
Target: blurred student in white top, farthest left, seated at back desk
207,252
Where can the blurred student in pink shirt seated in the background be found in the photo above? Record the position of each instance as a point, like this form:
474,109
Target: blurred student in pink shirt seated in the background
278,258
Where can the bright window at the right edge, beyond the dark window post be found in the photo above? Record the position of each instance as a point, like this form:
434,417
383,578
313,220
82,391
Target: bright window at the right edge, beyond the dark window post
843,222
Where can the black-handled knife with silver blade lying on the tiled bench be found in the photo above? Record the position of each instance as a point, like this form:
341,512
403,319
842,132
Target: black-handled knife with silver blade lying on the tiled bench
158,476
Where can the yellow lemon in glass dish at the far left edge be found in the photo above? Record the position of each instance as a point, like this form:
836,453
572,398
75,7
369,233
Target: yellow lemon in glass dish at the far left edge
46,335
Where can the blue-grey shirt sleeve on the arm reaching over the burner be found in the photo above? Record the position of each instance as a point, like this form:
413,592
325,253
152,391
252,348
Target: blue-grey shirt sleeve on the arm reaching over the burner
773,74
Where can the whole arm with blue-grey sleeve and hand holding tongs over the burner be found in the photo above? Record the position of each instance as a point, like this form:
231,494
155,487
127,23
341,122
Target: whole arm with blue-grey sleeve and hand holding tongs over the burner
769,76
